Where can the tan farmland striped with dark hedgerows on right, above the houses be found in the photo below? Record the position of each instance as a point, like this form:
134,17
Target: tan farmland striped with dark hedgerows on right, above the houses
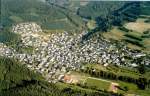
135,34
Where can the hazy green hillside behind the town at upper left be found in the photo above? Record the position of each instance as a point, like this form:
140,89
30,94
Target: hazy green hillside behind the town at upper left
49,16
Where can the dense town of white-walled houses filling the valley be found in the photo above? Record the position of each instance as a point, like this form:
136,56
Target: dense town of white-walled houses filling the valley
63,52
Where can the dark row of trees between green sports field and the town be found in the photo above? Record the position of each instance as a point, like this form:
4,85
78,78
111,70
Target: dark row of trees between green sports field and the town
141,82
